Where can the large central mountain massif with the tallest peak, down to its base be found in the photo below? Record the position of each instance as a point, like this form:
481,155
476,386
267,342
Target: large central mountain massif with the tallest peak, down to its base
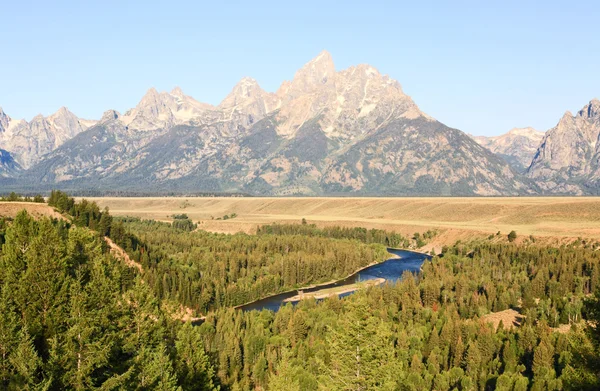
323,132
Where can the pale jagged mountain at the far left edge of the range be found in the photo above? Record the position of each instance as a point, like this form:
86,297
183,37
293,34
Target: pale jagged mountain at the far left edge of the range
29,141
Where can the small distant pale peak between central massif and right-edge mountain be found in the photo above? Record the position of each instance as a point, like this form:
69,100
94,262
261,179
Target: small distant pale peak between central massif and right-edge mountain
517,147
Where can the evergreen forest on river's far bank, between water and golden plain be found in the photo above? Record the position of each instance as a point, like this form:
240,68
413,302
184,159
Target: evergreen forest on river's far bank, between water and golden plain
205,271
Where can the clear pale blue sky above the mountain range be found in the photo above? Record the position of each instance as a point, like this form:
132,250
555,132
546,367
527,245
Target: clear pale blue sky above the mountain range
478,67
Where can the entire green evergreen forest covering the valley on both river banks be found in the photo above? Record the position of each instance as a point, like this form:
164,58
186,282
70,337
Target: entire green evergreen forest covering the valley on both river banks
75,317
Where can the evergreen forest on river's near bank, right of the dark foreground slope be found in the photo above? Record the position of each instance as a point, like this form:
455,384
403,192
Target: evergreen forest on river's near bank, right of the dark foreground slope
426,333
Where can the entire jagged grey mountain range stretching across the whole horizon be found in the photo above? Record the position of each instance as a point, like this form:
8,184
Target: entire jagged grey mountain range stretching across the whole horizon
324,132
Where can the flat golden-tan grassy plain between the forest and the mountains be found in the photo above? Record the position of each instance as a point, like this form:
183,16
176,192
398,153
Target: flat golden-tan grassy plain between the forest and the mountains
553,219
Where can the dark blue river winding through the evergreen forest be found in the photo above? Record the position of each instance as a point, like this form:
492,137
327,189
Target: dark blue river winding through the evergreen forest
390,270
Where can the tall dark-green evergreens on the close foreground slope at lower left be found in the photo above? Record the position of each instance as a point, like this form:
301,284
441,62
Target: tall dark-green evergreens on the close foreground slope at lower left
75,318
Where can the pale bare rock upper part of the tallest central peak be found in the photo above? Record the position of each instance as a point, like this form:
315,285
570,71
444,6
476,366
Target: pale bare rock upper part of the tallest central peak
348,103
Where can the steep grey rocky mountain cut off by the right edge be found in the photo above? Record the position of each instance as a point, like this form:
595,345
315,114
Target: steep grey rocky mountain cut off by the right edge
568,159
